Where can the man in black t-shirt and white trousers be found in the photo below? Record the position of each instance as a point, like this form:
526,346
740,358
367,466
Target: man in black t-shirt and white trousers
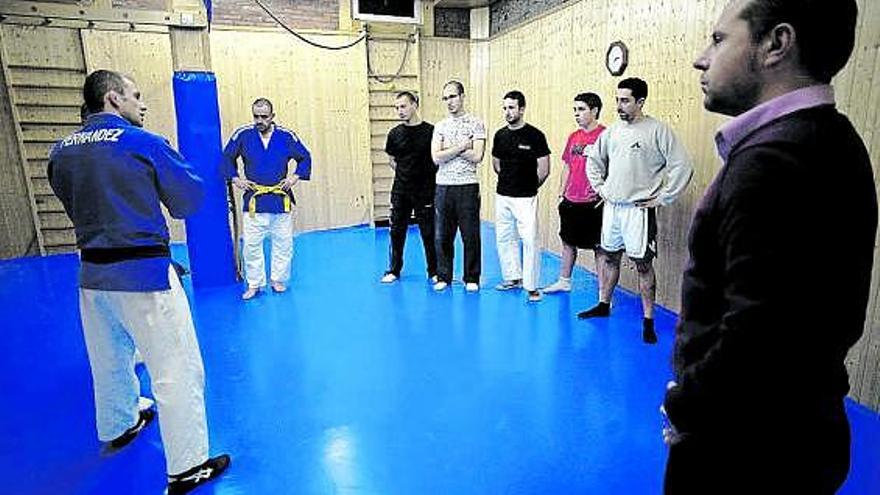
521,158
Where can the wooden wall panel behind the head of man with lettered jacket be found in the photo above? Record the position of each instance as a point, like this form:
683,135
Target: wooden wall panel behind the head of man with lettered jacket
146,58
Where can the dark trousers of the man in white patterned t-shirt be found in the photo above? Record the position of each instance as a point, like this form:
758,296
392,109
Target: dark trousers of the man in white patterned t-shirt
458,208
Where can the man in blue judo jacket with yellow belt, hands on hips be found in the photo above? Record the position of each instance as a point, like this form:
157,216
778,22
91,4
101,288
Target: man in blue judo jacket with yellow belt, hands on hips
267,151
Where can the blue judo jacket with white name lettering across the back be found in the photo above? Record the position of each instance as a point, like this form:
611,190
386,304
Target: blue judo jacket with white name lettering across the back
111,177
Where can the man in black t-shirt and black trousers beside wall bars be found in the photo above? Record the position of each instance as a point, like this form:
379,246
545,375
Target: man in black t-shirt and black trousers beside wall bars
409,148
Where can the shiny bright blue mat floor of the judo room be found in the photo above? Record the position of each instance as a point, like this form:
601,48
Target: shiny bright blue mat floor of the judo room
345,386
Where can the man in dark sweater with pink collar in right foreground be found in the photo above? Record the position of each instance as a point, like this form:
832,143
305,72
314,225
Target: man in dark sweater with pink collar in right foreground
757,405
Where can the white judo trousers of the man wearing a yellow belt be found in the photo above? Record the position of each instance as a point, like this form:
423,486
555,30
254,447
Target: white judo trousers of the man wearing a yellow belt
279,227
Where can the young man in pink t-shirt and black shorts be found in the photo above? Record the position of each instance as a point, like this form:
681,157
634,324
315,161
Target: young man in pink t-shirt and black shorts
580,210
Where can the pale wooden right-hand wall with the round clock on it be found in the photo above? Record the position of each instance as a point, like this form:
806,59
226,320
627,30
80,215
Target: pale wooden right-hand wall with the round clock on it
664,37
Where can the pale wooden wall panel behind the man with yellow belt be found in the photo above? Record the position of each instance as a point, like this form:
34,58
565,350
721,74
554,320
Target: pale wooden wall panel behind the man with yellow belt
322,96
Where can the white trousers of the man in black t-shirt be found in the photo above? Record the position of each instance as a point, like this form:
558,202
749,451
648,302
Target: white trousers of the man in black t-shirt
516,219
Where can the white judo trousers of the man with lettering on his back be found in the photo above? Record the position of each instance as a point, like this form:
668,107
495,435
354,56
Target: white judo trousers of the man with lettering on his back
160,325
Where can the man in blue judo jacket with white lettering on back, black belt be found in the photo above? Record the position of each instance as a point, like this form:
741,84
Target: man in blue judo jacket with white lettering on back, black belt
111,176
